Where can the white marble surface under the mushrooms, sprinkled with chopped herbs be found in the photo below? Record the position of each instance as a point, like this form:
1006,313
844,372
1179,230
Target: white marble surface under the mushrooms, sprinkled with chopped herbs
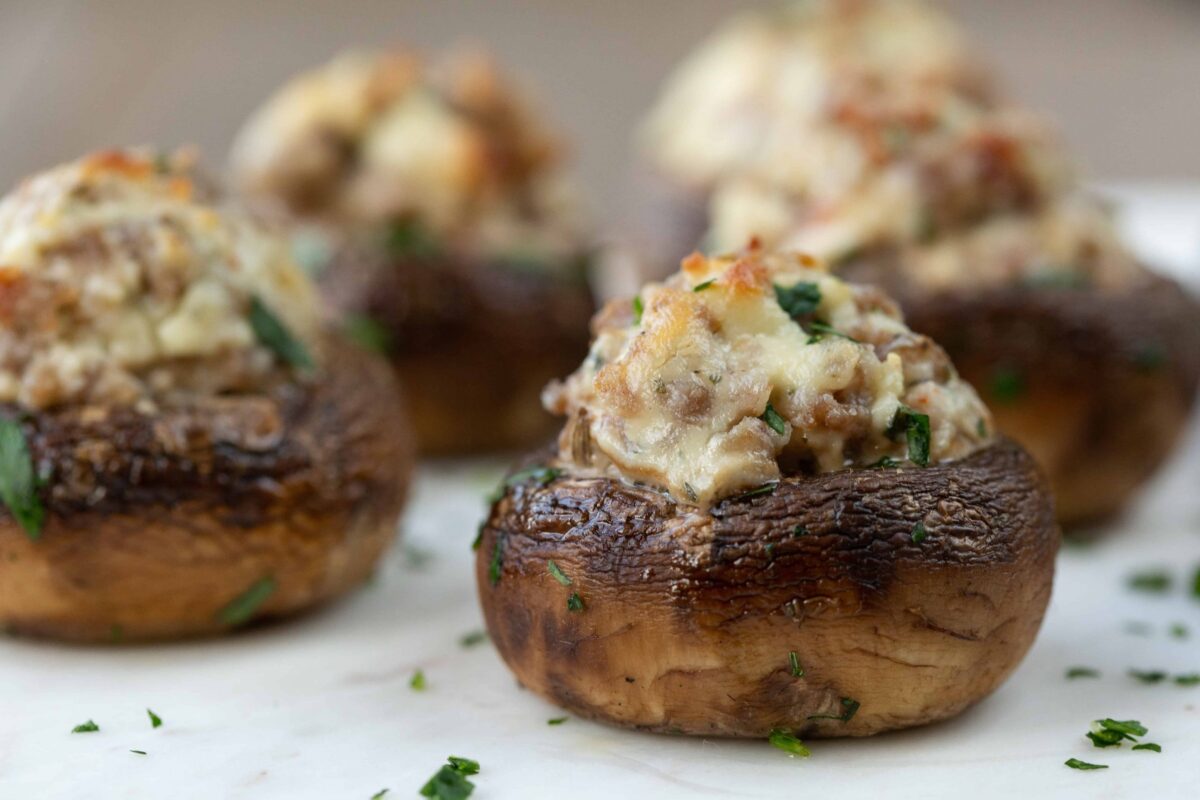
321,708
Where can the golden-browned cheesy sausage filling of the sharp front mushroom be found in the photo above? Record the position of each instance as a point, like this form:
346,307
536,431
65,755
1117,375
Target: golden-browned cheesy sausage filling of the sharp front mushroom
680,398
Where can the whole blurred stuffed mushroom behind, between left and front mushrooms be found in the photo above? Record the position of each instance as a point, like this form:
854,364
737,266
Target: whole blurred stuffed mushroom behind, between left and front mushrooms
434,206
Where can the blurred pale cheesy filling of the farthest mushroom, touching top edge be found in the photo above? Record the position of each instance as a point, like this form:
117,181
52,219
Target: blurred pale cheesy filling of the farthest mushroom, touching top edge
760,93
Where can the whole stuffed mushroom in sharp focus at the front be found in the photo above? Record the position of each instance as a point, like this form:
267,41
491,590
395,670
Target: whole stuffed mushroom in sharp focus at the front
772,508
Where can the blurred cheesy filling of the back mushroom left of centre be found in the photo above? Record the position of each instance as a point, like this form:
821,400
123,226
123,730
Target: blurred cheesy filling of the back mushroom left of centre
373,139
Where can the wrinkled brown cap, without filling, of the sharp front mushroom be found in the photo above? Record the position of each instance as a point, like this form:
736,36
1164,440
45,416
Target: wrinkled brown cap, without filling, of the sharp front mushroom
689,617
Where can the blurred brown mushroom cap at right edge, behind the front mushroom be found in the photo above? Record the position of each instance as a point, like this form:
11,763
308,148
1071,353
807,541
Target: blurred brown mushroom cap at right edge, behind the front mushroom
1099,387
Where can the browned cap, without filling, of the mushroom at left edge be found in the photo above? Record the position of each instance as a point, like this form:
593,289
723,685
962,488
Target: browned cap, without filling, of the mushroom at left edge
155,524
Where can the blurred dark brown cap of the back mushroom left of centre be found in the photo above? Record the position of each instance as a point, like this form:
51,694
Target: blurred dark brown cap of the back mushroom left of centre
473,345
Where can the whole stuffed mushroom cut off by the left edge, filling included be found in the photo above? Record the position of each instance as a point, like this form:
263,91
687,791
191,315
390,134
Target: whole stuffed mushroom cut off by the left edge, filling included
184,448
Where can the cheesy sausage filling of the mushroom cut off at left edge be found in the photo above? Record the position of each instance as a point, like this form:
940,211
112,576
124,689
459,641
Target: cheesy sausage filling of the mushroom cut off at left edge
121,285
